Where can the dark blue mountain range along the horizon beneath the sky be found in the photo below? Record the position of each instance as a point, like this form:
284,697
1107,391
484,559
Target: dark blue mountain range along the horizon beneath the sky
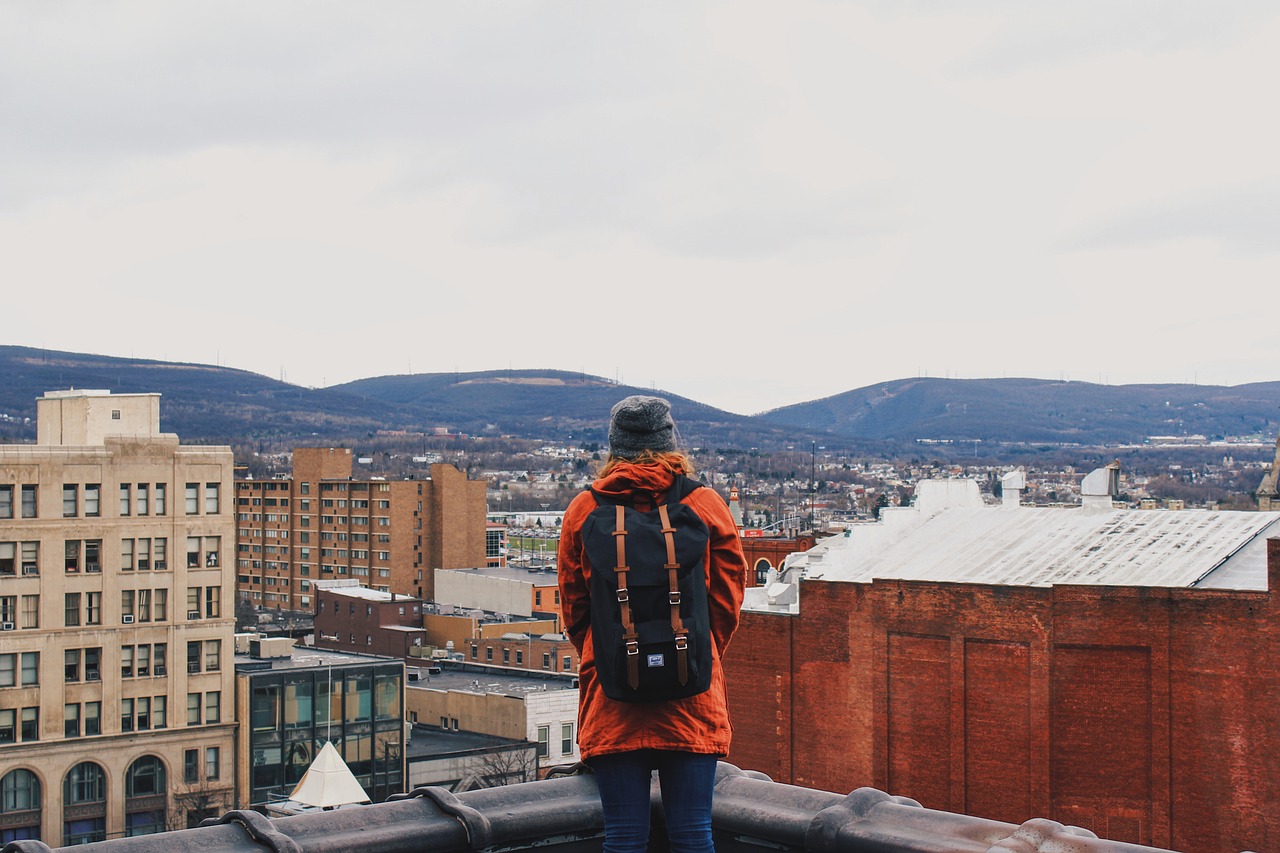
226,405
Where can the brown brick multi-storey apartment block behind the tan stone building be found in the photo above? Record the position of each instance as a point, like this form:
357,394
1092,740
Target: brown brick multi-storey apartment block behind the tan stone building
324,524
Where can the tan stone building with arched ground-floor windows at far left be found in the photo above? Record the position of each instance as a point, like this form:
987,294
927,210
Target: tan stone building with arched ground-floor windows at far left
116,632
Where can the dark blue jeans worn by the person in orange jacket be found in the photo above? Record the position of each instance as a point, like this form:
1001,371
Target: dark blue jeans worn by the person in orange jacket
687,781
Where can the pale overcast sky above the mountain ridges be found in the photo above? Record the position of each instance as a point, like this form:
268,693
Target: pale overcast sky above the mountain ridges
748,204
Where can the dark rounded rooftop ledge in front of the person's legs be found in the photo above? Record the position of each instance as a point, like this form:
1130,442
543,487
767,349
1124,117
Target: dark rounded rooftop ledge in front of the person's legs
563,814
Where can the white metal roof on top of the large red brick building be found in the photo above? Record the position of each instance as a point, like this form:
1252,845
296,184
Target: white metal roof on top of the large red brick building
1046,546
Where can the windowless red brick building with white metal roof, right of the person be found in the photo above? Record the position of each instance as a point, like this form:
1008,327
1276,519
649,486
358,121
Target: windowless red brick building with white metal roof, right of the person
1121,676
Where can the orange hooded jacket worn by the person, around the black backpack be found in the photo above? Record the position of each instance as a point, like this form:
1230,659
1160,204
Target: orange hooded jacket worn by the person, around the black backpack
697,724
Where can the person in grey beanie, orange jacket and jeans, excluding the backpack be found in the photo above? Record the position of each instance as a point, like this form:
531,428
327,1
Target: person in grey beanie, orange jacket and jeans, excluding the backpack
683,740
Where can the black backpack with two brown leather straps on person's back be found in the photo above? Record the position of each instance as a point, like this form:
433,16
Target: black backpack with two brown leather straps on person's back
651,624
